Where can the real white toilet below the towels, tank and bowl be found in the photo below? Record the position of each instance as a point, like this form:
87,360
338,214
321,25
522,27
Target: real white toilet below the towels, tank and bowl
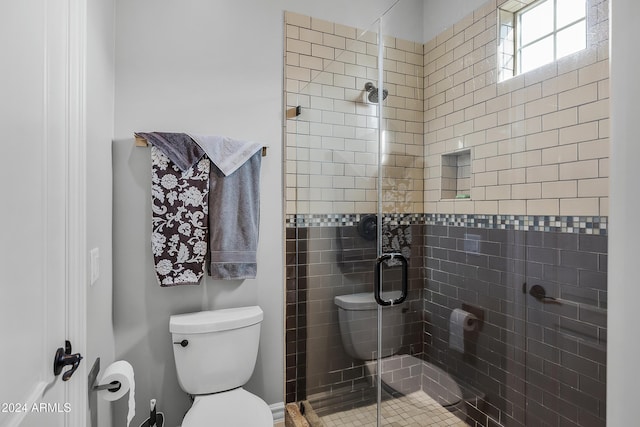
215,353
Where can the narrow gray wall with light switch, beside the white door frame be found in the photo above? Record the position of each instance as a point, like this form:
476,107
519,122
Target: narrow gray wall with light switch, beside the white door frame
100,118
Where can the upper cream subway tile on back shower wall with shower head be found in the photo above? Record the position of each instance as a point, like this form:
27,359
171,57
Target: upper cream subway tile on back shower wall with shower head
332,146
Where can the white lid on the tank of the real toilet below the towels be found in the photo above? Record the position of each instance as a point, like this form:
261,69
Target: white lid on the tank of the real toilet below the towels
215,320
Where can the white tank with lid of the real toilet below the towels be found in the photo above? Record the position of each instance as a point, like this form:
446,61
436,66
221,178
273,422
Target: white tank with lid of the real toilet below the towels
221,348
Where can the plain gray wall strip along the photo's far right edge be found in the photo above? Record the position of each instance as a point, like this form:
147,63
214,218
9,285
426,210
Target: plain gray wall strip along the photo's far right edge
623,351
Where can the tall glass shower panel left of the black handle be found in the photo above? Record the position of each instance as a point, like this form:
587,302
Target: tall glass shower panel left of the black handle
332,222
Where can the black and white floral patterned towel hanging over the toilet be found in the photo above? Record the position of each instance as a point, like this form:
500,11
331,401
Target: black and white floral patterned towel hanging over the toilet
179,201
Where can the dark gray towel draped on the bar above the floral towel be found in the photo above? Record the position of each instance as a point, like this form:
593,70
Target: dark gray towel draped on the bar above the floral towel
180,148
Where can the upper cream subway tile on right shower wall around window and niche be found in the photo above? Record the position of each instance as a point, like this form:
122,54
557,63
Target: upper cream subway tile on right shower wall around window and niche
539,141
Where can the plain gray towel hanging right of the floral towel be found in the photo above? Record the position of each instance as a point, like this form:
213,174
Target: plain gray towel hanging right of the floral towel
234,217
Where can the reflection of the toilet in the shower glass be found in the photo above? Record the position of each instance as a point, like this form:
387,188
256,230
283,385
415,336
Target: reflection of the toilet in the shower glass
358,314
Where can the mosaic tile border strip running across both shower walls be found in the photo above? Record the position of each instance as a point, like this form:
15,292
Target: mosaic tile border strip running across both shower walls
597,225
